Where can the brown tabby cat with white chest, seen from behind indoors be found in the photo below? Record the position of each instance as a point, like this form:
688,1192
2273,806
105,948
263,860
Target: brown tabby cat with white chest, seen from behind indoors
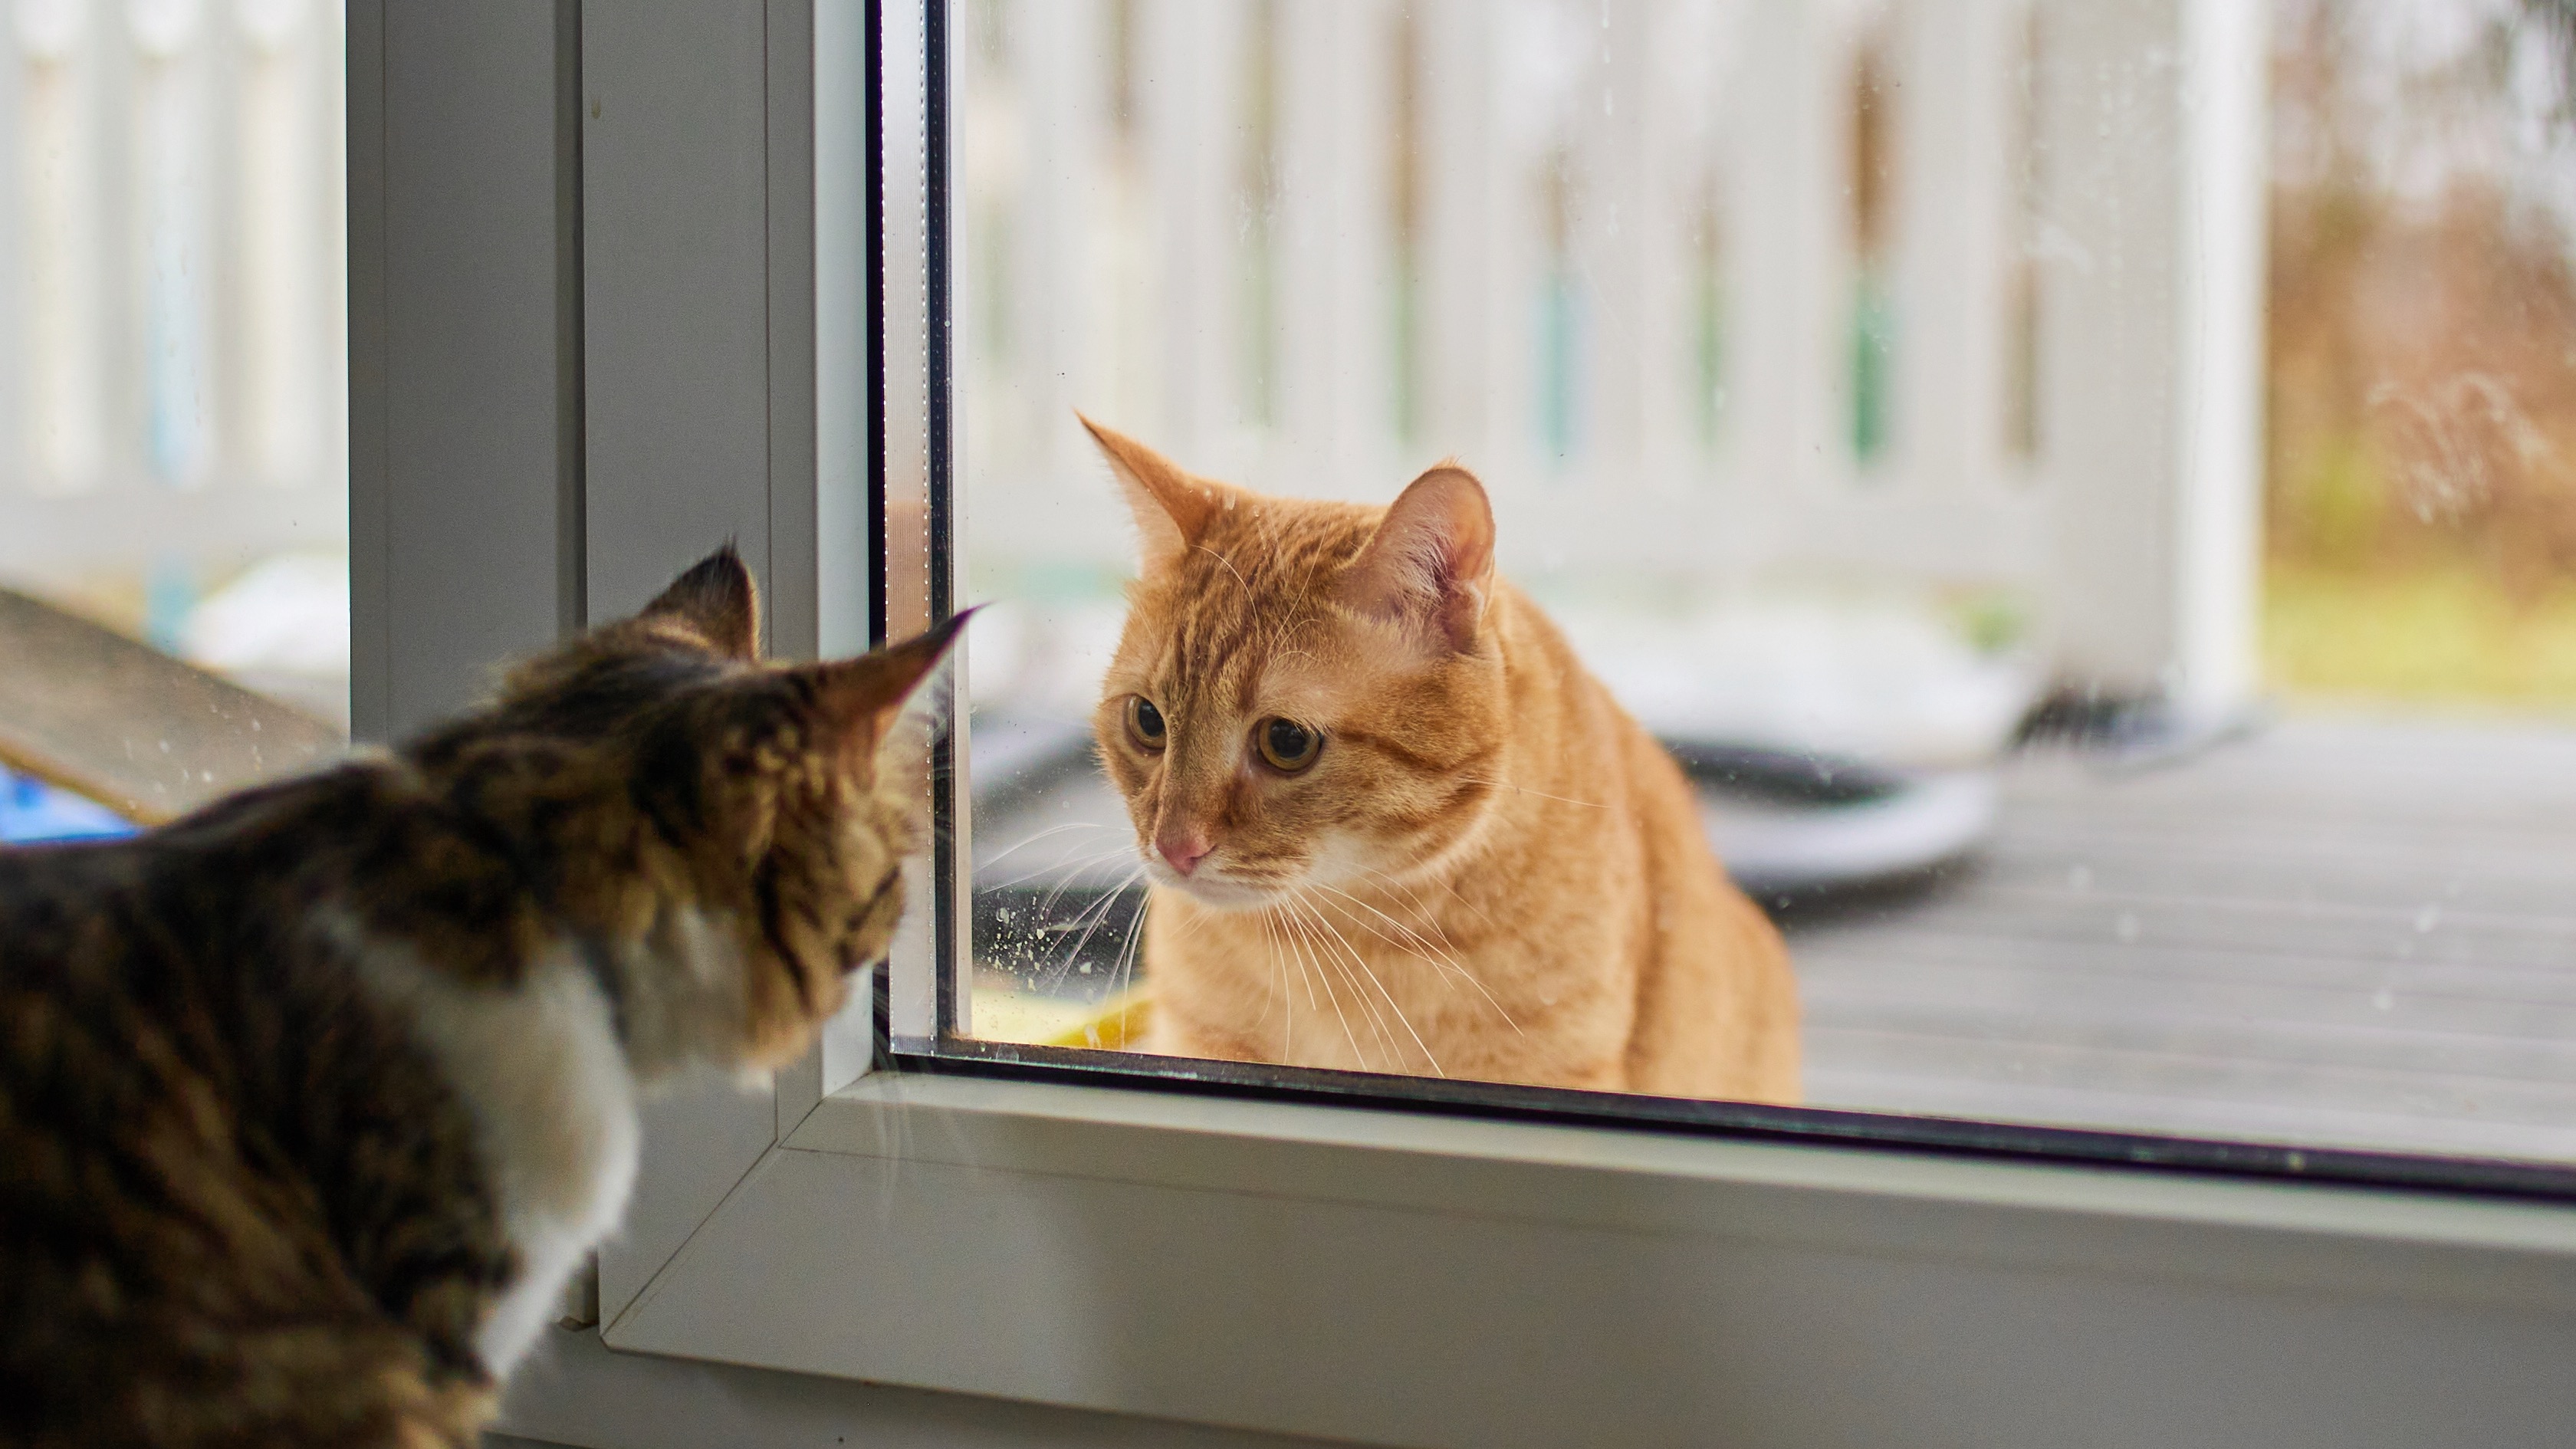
313,1100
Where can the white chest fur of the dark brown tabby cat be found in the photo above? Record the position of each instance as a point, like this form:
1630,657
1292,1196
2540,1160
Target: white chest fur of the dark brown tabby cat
555,1118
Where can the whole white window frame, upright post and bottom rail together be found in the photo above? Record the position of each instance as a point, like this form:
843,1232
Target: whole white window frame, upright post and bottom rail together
589,334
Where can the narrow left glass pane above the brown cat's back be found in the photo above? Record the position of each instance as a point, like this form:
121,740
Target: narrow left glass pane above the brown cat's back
174,396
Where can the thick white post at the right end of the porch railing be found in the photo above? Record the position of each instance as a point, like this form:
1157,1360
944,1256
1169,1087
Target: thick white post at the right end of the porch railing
2152,344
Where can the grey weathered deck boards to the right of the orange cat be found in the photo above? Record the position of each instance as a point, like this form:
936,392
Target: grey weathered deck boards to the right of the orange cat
2335,932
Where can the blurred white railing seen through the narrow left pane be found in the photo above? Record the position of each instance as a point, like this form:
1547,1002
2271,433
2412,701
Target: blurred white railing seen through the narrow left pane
174,385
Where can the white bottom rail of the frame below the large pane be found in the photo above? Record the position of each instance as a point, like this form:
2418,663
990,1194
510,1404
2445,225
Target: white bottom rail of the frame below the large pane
1413,1280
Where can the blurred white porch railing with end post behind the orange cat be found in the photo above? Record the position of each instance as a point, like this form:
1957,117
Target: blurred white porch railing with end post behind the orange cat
1712,290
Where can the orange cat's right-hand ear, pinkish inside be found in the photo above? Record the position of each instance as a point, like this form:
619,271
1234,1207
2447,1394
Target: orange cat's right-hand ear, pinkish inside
1431,563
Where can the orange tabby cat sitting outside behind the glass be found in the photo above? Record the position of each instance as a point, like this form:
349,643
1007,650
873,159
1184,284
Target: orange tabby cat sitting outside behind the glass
1395,826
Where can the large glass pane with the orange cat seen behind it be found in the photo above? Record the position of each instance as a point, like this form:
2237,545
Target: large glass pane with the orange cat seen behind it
1980,561
